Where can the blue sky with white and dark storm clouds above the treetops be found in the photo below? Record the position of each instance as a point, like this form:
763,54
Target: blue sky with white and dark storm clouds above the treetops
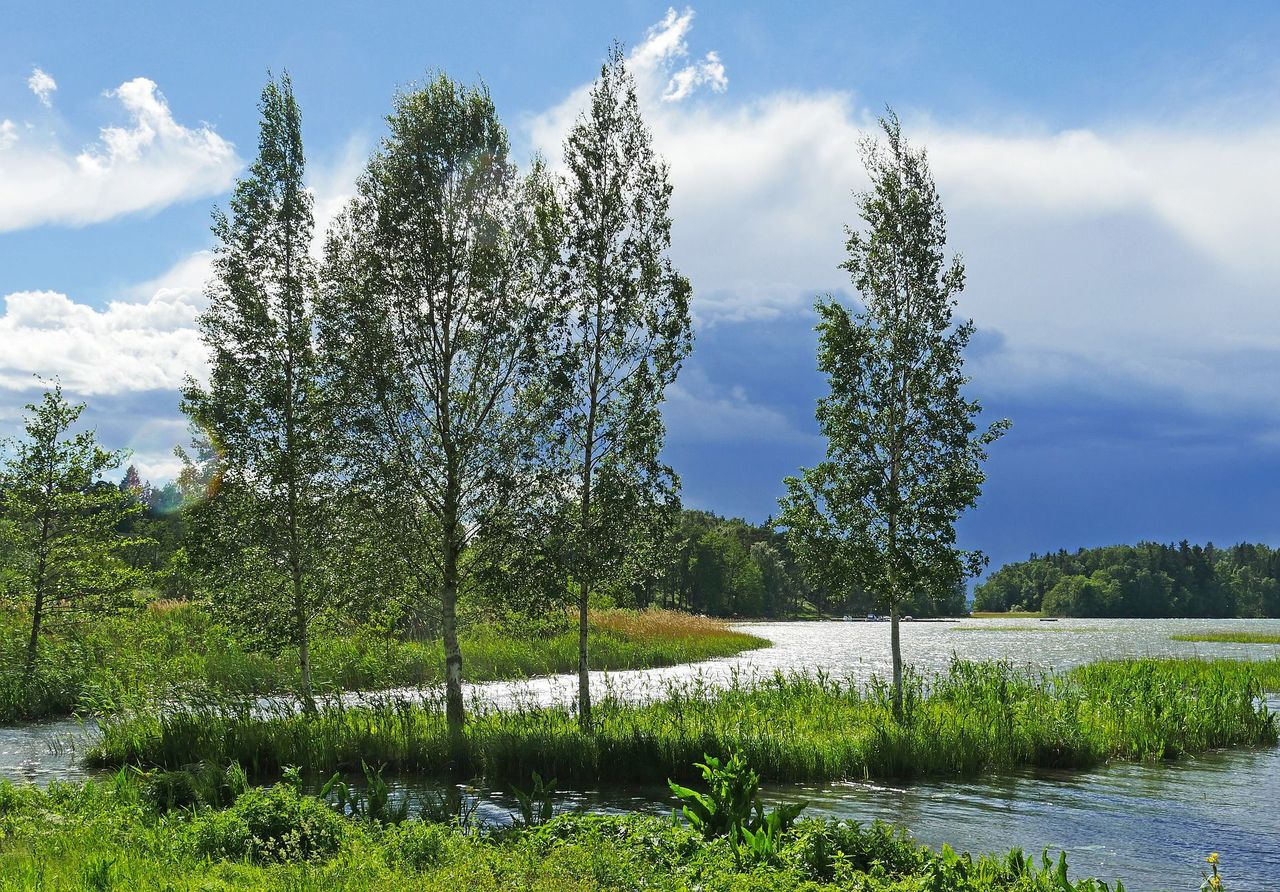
1112,177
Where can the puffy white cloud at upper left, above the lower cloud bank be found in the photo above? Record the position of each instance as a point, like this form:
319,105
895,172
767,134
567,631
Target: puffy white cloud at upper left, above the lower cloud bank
144,166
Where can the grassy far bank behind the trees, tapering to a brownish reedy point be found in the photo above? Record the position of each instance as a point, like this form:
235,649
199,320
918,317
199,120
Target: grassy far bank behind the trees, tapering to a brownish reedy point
179,651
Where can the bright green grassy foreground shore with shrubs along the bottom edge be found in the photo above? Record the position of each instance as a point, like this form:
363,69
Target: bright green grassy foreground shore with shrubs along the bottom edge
106,836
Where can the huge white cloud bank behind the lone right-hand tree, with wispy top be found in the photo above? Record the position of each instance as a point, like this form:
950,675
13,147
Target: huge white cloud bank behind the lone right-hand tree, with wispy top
1113,257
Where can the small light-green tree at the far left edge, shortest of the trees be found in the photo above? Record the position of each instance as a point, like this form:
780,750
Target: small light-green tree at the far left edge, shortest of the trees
62,519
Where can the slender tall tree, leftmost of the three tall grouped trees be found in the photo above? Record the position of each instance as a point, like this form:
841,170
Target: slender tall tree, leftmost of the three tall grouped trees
266,529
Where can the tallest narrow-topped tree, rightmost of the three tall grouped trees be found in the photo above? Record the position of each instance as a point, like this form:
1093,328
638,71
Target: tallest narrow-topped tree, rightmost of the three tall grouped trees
629,331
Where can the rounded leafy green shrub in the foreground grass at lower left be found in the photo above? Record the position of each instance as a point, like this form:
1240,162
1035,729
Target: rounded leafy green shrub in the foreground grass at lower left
272,825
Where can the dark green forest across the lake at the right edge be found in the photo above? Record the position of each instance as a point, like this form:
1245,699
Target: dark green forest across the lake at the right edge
1145,580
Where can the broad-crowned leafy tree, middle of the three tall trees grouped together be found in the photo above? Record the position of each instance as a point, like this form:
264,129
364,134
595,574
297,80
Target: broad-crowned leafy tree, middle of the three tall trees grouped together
435,326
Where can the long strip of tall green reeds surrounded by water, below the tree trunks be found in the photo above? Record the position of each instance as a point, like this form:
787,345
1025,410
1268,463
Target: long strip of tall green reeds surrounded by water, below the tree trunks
976,717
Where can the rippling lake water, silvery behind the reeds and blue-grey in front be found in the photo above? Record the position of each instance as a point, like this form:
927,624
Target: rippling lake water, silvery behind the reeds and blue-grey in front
1150,826
